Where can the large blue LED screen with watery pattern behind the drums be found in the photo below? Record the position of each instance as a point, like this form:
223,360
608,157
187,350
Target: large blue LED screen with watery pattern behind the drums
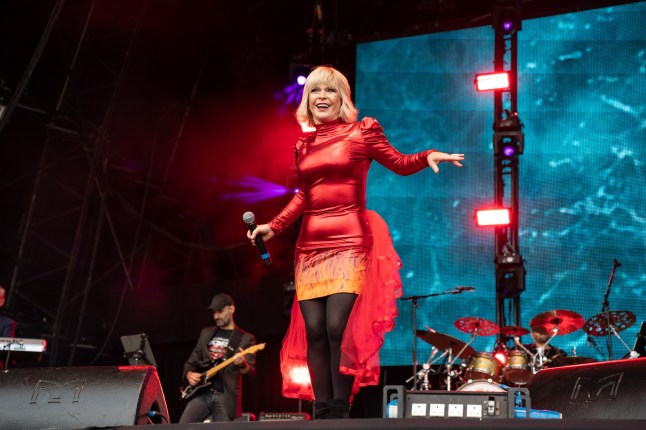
582,99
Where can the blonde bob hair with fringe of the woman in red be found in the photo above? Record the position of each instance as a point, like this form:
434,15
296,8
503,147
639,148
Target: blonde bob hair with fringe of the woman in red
328,76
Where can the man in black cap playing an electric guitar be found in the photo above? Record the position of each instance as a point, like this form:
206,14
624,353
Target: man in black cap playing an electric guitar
220,398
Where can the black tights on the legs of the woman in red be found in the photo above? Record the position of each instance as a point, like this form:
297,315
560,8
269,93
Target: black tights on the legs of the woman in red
325,321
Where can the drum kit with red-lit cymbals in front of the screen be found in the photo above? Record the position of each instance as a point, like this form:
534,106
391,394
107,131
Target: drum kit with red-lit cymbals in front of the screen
484,371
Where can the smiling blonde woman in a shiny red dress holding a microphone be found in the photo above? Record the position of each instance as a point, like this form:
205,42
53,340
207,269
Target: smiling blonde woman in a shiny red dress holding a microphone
346,270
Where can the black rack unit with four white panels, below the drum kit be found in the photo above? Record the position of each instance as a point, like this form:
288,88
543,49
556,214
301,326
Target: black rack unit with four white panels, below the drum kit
401,403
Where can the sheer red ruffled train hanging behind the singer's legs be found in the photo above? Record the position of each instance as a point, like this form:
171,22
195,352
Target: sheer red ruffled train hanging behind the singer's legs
373,315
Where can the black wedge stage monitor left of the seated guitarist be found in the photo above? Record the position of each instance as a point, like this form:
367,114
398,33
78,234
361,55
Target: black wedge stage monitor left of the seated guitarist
78,397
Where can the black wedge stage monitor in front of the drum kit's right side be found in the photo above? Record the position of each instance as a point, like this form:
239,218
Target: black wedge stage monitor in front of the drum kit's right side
608,390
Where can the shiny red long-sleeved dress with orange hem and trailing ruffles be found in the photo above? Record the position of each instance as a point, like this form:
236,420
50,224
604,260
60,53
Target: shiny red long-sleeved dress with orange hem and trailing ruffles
342,247
